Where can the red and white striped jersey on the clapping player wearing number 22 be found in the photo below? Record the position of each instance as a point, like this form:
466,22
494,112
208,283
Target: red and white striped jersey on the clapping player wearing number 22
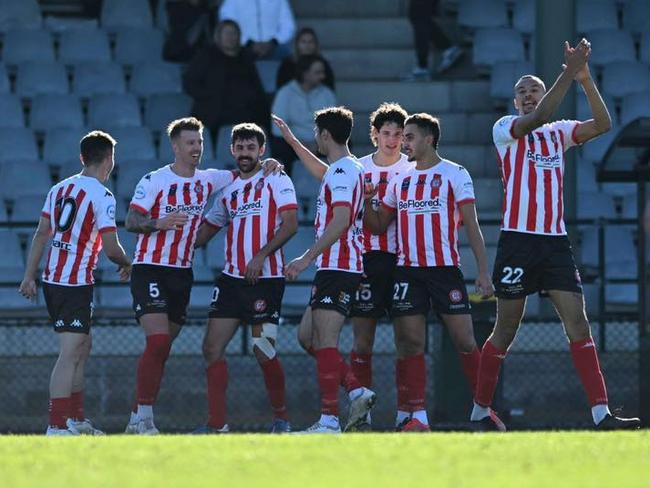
532,170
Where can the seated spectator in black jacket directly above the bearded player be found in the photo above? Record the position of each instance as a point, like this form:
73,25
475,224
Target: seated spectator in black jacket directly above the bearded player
224,83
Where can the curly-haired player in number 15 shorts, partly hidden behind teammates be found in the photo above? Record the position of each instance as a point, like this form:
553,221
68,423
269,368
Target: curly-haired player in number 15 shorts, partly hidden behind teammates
375,294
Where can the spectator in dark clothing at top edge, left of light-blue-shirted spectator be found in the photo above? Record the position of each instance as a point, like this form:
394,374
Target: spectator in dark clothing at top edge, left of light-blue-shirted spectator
191,23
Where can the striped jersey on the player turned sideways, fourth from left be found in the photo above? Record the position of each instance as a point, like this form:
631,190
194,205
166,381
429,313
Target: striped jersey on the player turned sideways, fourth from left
341,185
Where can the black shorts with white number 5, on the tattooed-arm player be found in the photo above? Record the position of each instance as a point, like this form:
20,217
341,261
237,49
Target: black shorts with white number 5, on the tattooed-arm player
161,289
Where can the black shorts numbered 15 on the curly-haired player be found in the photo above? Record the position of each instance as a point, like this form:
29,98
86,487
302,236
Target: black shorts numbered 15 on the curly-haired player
375,294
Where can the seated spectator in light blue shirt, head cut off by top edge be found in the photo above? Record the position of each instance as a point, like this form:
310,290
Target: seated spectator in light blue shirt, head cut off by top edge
267,26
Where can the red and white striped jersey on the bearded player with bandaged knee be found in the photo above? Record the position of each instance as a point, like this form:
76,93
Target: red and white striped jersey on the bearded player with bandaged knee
253,207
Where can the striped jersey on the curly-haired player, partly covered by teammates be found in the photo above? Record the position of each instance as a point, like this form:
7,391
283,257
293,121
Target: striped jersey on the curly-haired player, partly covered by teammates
380,176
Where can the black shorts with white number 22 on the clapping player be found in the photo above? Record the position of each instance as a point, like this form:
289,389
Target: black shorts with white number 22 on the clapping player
529,263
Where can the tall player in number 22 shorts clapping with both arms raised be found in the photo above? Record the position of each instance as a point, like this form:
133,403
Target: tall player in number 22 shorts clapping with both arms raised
534,253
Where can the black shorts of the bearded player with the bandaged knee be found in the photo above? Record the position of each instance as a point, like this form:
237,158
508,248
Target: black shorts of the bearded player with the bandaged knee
253,304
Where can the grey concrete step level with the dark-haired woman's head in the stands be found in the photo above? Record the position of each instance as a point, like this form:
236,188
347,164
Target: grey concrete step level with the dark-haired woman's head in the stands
350,33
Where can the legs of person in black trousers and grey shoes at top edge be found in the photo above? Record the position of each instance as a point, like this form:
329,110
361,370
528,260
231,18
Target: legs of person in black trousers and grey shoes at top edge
426,30
